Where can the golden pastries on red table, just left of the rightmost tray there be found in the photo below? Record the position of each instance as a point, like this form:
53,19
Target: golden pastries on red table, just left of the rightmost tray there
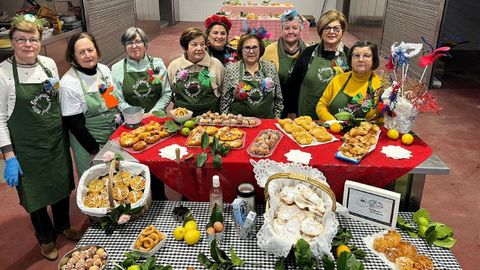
304,130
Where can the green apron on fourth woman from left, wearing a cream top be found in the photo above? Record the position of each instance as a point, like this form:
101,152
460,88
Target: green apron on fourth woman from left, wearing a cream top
194,97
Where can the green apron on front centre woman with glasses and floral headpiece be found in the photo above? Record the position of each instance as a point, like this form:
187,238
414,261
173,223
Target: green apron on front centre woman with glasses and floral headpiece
257,103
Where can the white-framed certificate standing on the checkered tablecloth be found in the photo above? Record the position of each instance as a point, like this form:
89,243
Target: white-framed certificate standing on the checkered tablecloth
371,204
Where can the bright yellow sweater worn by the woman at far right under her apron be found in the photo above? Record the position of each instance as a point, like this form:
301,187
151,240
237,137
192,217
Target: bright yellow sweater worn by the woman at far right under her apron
357,84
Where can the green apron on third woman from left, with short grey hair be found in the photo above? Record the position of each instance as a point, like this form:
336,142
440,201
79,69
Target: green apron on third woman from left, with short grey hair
138,91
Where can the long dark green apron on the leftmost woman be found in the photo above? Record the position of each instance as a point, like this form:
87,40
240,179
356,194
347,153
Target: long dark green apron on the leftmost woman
41,145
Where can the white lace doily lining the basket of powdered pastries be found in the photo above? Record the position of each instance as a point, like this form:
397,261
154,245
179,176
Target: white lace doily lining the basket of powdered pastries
269,240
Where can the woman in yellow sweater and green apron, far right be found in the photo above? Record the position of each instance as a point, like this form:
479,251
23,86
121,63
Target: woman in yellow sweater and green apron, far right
354,91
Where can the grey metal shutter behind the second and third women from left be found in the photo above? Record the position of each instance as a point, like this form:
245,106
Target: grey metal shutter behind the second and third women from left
106,21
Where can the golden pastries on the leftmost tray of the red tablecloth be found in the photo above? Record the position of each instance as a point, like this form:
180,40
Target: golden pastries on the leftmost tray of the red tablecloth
141,137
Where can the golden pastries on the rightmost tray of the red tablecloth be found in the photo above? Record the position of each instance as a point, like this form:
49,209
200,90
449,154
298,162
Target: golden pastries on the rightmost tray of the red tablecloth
358,140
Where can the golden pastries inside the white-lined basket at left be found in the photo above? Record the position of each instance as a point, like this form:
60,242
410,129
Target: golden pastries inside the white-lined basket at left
126,189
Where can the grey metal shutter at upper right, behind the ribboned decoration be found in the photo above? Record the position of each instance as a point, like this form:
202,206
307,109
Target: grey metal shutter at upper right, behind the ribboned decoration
408,20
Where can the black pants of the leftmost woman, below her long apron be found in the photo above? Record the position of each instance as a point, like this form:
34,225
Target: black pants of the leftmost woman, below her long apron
45,231
